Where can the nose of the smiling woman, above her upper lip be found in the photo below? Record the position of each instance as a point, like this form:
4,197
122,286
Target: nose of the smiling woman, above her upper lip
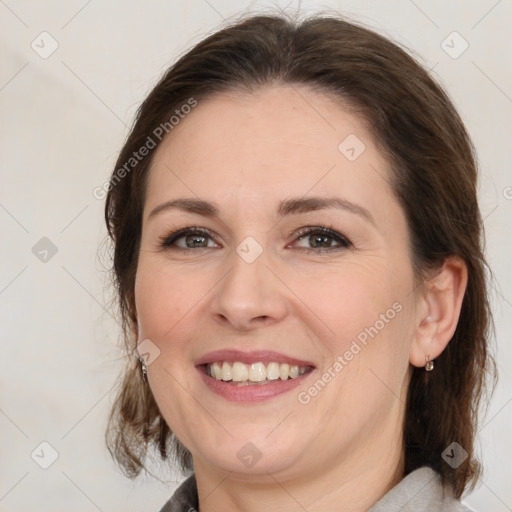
249,296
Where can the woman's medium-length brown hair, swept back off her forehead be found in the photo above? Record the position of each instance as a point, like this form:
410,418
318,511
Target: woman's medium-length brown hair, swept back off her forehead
434,176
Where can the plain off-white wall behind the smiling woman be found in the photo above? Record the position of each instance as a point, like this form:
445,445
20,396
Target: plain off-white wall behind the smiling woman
63,121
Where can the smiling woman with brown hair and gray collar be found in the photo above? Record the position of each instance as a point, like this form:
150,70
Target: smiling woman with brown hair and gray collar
300,273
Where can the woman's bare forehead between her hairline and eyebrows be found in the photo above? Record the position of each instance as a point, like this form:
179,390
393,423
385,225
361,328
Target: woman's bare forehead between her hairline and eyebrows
279,140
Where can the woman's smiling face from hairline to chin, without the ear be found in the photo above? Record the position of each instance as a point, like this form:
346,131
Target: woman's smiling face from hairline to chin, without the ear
255,178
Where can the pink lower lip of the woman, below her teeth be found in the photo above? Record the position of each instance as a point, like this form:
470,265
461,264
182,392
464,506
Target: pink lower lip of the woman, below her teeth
251,393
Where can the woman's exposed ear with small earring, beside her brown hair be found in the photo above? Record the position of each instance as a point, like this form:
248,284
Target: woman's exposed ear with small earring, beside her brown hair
438,310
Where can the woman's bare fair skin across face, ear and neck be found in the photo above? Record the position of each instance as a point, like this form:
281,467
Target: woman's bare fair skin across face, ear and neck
246,153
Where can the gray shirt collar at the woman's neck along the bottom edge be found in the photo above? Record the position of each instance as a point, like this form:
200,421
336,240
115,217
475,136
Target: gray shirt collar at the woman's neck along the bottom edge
420,491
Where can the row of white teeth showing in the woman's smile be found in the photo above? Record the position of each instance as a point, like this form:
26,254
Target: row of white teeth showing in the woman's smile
255,372
